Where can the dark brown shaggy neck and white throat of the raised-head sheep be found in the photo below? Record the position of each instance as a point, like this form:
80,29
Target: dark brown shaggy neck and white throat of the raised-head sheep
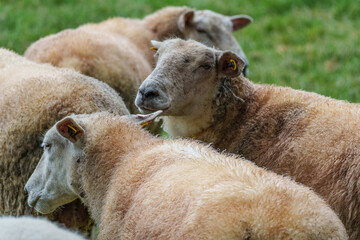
218,113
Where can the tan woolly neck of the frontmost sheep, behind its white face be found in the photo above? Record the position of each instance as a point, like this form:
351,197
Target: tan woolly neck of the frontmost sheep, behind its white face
103,156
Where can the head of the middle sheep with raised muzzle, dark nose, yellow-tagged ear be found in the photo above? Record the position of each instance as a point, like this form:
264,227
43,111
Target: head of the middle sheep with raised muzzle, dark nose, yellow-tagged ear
186,78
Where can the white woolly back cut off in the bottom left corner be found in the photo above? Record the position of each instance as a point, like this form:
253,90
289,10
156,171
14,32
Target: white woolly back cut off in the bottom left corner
30,228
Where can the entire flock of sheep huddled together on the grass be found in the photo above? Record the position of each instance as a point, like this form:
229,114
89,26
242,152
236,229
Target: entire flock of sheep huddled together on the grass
269,162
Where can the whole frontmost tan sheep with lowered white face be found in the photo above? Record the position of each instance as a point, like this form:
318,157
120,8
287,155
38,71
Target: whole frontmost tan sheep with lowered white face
138,186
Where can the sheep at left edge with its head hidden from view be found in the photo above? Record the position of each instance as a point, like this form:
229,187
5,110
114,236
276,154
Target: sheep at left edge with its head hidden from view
33,97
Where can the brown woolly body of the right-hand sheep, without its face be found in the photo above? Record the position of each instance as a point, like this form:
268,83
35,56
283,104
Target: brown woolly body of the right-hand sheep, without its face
312,138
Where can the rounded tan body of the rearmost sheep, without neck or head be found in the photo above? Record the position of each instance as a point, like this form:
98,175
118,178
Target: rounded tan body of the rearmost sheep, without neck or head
111,58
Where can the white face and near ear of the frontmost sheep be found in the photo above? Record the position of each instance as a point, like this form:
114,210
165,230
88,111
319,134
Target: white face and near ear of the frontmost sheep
51,184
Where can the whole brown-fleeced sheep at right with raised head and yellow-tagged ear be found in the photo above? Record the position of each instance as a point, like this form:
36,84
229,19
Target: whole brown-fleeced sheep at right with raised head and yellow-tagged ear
312,138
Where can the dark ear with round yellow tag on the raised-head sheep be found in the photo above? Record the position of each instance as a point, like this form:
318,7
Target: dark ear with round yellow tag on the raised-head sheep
229,64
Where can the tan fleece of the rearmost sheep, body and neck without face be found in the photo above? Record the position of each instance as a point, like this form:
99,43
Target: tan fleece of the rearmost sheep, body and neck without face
116,51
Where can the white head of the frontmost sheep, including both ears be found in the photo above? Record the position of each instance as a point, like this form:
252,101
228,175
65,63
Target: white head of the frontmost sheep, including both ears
57,178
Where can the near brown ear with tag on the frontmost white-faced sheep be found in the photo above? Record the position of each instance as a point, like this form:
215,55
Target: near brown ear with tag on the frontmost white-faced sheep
69,129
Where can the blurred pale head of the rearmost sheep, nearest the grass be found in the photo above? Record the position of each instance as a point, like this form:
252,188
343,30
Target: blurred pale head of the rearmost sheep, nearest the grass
214,30
